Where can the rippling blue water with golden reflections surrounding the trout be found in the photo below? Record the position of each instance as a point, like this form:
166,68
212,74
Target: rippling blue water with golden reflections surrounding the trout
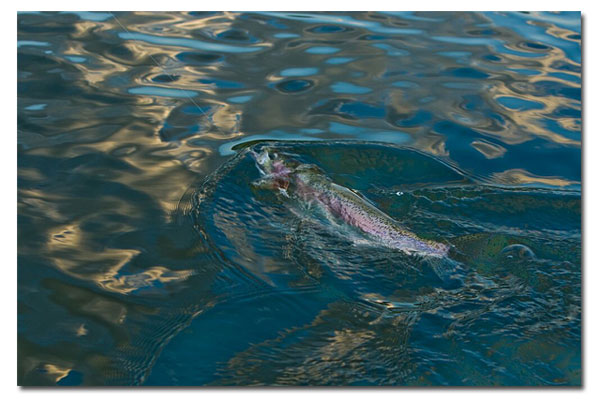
146,255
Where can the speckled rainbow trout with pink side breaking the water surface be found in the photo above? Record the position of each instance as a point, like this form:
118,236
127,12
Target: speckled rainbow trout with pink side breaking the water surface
291,178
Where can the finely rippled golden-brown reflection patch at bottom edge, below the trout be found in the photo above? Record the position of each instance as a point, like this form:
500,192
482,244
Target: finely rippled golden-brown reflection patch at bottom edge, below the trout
326,355
